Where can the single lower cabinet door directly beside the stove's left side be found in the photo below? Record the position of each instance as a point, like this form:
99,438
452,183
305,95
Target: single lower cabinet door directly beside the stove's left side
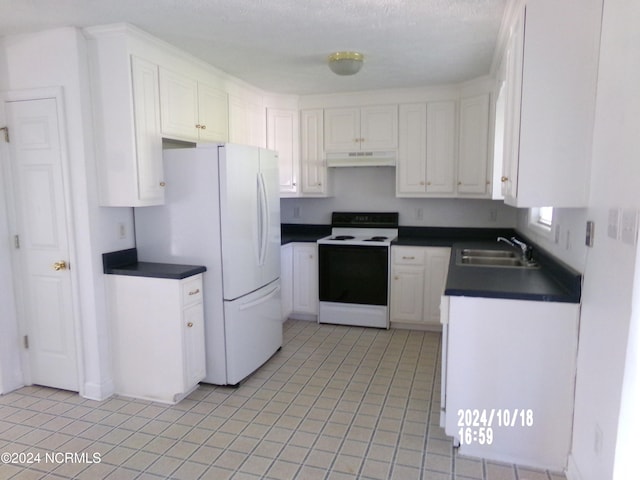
305,278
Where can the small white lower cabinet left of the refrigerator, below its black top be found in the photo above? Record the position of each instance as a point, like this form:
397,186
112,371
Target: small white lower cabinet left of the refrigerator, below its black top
157,333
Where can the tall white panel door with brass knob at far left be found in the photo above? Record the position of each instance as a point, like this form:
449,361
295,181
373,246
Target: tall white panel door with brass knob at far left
43,278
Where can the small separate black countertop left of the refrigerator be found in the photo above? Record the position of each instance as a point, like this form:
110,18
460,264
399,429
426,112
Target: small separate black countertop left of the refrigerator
125,262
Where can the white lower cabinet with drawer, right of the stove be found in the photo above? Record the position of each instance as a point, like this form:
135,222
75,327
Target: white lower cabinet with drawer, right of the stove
418,276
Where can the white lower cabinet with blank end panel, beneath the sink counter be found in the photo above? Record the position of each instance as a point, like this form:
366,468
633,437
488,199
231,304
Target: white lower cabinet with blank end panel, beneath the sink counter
508,378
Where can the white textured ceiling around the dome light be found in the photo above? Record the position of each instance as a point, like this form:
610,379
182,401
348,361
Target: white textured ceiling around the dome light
282,45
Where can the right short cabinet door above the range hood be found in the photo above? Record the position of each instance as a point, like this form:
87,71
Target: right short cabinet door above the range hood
379,128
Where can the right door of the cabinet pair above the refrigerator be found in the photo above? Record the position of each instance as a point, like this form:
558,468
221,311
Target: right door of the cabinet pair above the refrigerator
213,114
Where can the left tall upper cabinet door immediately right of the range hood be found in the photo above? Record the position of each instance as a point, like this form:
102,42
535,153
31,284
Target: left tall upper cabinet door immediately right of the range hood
411,169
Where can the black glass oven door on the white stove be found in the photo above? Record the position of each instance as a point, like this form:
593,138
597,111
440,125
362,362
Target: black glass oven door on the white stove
353,274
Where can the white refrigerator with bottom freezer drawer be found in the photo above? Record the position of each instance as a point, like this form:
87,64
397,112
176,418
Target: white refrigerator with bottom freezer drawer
222,210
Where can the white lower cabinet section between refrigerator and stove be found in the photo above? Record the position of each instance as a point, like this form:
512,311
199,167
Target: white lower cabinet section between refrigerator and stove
300,263
